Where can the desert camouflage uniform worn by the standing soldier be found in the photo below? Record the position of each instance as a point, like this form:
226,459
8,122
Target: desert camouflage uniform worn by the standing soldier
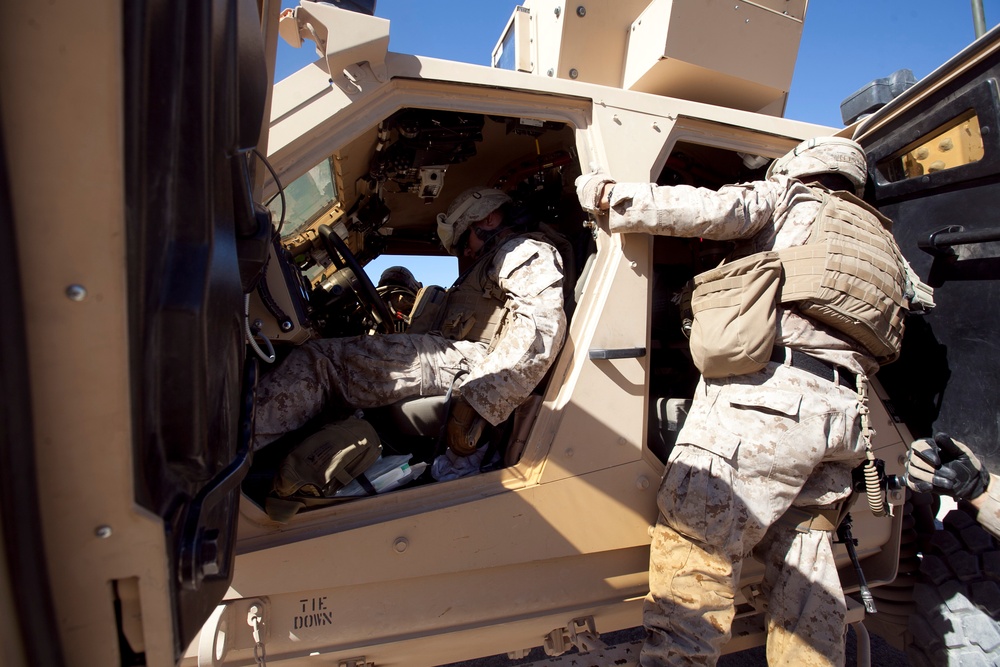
751,447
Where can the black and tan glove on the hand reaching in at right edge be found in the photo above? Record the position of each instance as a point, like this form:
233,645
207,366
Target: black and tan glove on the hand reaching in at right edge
945,466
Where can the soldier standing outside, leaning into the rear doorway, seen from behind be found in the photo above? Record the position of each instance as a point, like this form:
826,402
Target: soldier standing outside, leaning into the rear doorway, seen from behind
764,458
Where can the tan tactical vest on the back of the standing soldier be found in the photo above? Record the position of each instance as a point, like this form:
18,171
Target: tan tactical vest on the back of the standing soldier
850,275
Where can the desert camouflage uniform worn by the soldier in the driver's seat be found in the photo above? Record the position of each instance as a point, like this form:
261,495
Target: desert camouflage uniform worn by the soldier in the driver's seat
371,371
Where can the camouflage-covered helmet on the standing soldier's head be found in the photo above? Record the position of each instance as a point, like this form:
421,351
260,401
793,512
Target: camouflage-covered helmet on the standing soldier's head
824,155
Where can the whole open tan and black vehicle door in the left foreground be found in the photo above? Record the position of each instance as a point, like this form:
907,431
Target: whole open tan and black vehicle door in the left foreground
129,135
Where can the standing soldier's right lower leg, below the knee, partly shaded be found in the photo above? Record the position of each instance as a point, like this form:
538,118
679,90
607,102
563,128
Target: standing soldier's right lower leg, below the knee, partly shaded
806,609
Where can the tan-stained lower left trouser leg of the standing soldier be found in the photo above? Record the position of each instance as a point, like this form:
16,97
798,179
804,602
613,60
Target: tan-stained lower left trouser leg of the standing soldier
689,611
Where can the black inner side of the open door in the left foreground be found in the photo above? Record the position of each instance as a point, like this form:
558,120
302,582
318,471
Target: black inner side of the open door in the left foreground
196,88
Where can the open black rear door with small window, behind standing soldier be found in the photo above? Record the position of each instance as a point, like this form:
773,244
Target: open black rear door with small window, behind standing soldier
935,156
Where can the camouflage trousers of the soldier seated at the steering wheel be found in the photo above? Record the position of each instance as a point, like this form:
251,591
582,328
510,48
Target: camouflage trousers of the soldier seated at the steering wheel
358,372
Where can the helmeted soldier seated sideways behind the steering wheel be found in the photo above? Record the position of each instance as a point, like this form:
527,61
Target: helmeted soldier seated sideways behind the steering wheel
494,337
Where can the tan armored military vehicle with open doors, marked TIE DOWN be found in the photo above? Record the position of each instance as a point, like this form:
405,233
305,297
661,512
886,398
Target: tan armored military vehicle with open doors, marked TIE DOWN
173,225
